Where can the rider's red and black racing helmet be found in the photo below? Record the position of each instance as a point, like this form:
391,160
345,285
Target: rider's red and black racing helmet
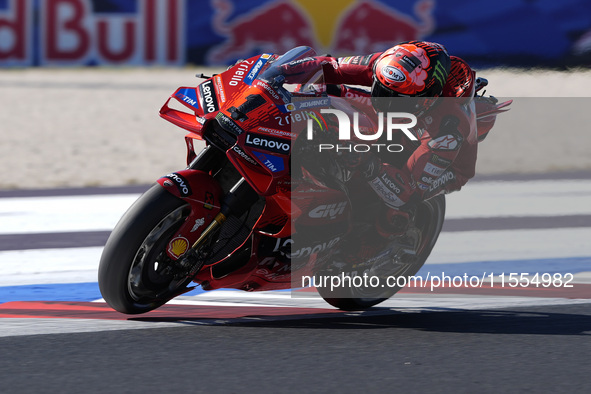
416,69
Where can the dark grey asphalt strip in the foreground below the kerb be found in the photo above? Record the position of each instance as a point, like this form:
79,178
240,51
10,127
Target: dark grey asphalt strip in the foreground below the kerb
539,349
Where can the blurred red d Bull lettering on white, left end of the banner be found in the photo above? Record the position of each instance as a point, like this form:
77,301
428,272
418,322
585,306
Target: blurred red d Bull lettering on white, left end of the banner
73,32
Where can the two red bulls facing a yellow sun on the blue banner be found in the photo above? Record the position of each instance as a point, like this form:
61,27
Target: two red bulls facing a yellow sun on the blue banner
337,27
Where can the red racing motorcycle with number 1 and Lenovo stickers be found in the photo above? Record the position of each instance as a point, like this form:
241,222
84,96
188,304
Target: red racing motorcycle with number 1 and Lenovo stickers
254,210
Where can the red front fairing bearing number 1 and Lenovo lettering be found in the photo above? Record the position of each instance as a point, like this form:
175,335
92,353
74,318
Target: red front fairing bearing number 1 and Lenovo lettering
258,113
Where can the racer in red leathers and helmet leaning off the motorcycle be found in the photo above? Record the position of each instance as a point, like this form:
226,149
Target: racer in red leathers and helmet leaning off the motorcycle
411,77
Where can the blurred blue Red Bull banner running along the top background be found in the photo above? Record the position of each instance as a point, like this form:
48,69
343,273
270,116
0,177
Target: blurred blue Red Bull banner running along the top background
214,32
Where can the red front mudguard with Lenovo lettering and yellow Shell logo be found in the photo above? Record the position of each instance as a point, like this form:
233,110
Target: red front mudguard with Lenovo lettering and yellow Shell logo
204,196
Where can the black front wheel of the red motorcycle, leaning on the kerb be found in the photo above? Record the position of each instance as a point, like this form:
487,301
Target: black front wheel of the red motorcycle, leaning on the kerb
133,276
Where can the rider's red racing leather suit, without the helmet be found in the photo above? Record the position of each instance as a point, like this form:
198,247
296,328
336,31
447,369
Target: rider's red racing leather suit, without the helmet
444,160
